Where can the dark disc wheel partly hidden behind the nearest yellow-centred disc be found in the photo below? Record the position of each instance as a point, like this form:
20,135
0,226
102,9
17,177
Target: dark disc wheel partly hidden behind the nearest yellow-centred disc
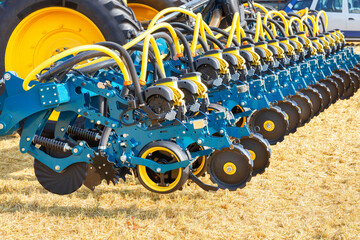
259,152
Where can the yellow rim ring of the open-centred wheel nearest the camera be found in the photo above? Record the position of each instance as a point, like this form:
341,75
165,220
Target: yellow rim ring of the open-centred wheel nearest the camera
143,172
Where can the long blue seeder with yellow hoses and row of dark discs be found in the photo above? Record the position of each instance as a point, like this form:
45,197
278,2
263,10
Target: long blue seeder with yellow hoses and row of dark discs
177,101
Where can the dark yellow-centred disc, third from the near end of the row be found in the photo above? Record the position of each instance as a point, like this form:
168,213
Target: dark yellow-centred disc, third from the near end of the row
270,123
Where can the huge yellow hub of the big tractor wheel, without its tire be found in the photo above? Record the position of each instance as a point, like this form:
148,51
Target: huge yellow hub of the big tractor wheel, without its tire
45,33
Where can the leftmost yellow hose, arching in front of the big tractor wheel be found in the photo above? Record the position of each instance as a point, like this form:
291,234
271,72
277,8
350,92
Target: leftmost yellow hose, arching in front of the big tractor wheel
32,75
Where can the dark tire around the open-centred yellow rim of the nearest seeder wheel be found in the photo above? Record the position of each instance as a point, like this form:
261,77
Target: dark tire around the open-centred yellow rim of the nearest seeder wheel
182,156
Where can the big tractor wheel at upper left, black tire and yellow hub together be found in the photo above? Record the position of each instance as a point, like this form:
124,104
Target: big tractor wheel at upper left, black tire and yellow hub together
33,30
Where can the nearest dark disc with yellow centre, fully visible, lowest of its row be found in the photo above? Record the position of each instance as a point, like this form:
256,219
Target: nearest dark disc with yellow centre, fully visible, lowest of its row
230,168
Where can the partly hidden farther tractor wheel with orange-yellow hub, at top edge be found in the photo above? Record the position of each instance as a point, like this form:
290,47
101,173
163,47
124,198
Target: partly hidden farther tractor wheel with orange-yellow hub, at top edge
145,10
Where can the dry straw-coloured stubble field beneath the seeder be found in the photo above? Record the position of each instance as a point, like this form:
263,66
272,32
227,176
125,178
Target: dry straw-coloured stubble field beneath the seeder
310,191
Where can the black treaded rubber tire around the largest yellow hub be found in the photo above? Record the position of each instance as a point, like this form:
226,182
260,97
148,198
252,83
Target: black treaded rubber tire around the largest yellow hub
114,19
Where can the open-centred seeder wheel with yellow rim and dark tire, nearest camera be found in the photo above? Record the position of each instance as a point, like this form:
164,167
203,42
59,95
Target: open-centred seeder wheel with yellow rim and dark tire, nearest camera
163,152
